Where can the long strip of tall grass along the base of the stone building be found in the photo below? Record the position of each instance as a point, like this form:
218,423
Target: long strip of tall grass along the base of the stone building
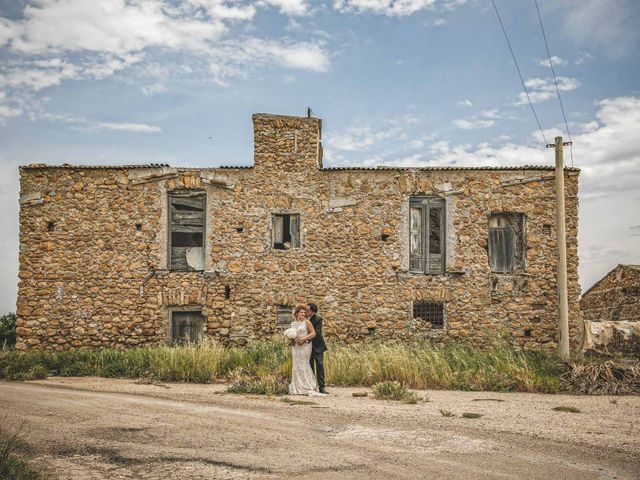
416,366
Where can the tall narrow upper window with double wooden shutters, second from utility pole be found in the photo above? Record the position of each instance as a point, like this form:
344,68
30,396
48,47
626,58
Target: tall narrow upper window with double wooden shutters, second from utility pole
427,235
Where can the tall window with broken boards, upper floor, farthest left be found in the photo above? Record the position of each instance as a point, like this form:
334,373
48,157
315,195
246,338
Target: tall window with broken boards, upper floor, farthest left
186,230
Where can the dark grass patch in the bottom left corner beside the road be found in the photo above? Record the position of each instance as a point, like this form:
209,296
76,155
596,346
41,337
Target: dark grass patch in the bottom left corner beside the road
13,455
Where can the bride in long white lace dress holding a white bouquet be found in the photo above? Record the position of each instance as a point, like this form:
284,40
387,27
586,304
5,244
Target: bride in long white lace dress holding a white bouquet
303,381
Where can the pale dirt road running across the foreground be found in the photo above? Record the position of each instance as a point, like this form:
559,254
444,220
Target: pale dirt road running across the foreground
99,428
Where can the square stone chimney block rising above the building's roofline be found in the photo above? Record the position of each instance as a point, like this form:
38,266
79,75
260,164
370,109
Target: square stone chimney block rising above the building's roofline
287,144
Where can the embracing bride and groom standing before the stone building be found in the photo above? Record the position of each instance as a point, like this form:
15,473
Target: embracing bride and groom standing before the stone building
307,351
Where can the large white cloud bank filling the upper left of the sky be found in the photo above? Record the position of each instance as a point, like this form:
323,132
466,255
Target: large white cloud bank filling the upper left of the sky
62,40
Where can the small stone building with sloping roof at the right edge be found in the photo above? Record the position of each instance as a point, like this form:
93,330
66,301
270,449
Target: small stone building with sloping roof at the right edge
616,297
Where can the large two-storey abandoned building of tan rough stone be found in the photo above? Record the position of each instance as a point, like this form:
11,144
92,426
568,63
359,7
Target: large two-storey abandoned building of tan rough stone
142,254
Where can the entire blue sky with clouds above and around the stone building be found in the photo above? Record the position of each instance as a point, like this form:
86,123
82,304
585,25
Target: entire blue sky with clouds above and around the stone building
405,82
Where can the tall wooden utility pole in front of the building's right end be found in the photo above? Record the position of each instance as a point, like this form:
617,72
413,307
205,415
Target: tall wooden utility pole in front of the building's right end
561,241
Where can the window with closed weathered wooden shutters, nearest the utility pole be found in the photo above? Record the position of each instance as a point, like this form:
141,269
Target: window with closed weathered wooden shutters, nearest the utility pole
506,242
